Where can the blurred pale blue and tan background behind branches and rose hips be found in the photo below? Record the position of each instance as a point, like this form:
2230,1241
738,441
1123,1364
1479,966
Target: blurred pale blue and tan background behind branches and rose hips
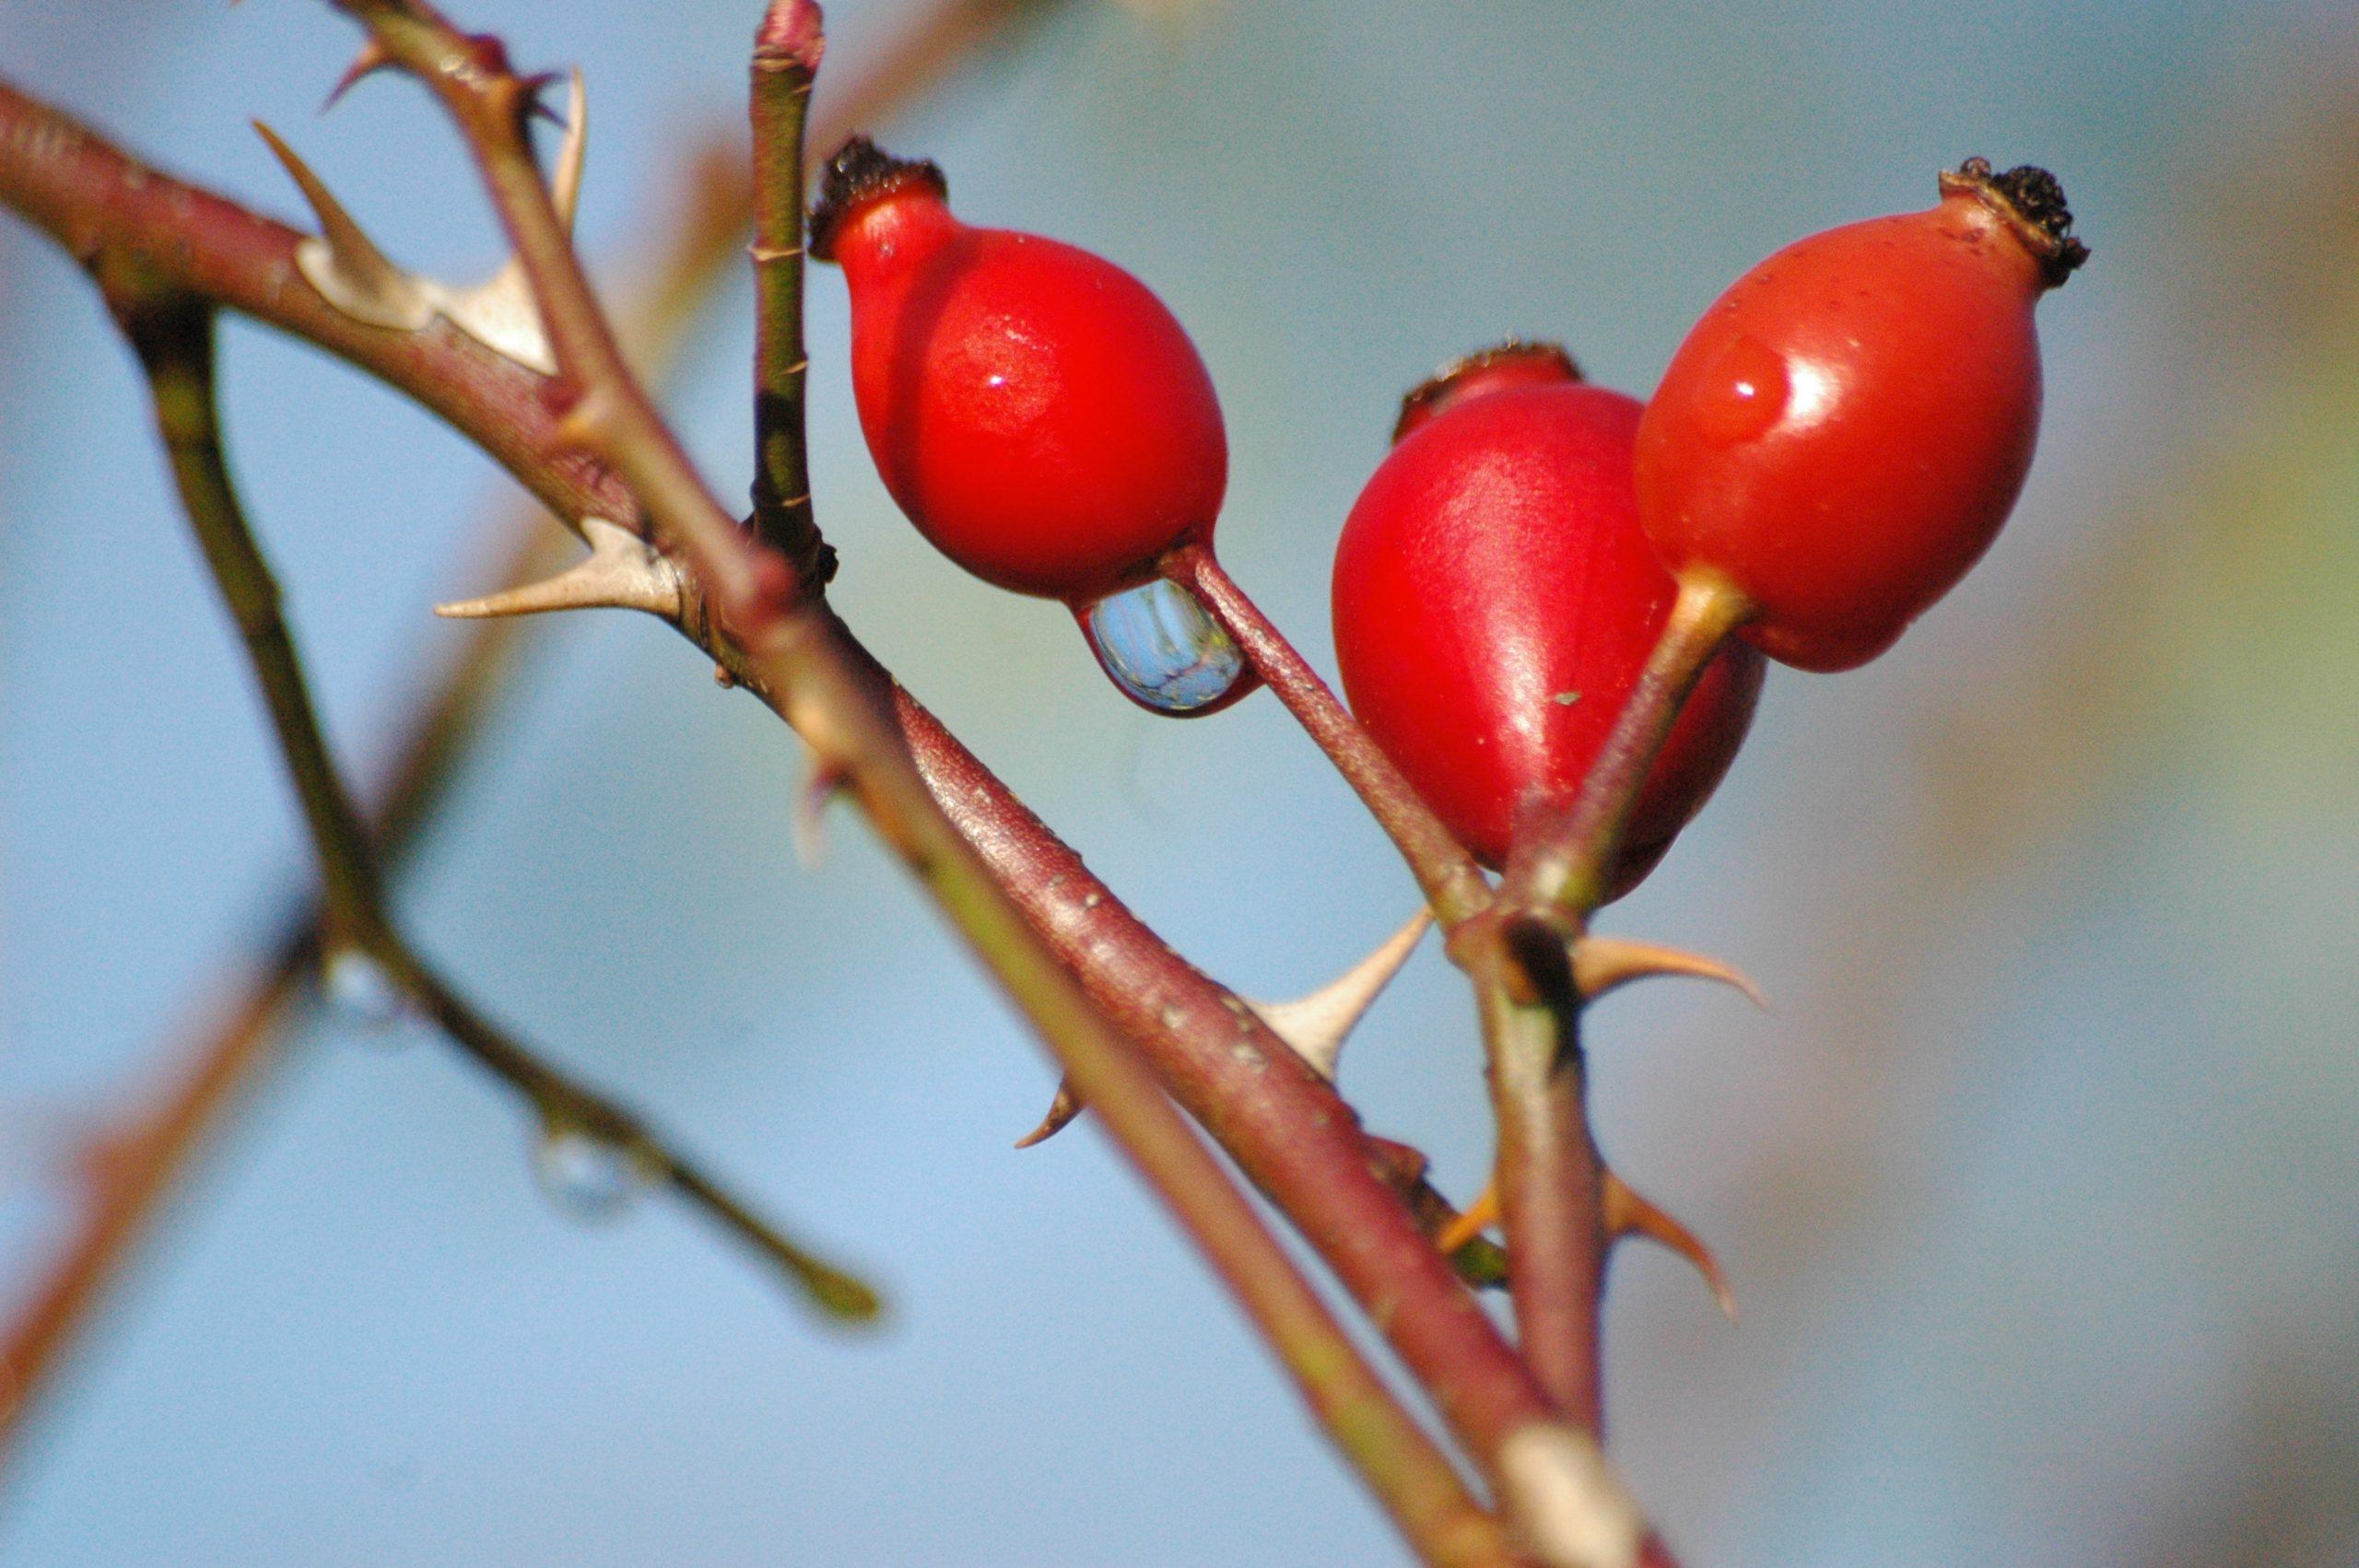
2037,1187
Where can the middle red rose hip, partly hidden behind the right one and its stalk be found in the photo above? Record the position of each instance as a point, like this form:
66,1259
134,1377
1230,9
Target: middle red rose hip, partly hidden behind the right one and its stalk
1497,602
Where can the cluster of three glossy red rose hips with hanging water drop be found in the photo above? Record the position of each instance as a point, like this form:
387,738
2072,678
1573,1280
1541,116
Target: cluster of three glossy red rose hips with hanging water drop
1834,444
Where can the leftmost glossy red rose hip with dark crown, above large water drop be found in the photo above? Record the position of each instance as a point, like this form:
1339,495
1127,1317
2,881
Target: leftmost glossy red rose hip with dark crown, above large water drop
1034,409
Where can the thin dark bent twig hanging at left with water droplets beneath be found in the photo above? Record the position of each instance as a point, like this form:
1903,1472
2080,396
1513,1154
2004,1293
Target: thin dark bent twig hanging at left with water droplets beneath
173,338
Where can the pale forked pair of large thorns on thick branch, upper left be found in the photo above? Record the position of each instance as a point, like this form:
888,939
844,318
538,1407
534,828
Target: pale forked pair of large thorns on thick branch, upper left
353,275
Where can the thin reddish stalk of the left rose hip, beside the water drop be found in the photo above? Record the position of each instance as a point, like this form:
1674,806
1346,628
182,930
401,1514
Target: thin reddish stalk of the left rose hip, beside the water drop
1445,871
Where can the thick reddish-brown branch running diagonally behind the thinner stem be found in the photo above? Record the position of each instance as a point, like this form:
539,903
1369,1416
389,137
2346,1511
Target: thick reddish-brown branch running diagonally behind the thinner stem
91,197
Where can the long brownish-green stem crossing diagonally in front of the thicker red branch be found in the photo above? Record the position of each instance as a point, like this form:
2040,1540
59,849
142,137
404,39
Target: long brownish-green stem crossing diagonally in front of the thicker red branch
846,716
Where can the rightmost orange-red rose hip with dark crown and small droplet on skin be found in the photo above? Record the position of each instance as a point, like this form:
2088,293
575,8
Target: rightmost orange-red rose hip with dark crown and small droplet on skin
1846,430
